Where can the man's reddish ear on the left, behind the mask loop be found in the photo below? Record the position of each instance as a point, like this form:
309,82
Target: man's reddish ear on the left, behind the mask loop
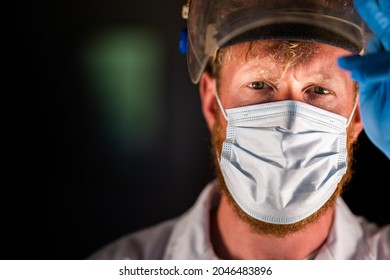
207,95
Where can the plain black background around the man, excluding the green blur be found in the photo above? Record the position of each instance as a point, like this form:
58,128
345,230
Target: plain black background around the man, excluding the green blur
67,191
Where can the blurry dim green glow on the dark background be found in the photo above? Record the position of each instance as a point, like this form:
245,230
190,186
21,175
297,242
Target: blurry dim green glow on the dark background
125,74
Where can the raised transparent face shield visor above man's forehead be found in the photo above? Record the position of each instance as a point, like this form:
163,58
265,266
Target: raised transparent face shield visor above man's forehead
213,24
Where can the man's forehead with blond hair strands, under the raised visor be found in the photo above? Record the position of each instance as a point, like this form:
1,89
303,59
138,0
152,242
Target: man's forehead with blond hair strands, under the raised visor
276,57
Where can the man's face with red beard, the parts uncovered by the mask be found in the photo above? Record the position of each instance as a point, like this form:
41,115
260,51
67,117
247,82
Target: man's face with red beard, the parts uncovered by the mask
269,71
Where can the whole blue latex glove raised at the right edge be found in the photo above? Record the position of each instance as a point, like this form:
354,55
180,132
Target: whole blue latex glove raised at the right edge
372,72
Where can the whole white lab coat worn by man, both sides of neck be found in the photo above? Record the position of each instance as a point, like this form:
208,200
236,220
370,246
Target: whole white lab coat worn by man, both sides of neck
187,237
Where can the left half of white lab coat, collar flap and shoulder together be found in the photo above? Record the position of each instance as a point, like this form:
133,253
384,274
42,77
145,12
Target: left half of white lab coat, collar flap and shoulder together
172,239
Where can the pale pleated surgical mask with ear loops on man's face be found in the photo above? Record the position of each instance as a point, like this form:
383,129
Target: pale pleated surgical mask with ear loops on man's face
282,161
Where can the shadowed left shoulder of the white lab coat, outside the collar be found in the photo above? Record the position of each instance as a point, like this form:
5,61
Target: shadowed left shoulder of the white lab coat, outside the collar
148,243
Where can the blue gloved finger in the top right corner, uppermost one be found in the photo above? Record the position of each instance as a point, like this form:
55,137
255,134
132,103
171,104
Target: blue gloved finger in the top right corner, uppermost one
377,18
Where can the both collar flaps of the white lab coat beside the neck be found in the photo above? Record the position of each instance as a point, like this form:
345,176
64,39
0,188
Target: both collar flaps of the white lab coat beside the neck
190,238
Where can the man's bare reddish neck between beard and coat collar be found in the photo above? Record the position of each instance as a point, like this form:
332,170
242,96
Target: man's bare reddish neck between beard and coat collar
234,239
